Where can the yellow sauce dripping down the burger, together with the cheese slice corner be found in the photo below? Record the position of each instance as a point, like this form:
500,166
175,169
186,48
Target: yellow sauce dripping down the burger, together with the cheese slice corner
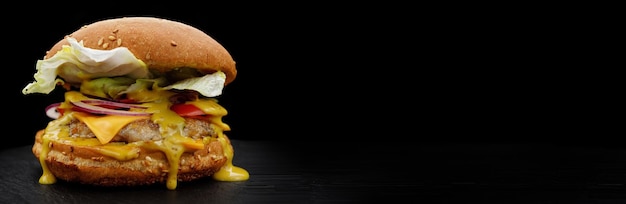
173,145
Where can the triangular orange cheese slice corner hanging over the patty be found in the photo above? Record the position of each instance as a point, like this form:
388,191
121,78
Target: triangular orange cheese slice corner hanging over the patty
106,127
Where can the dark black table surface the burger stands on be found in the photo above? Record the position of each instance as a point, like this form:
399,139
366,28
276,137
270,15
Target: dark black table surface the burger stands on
366,172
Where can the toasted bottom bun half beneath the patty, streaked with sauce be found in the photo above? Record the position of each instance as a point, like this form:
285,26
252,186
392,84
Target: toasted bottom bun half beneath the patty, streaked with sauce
84,165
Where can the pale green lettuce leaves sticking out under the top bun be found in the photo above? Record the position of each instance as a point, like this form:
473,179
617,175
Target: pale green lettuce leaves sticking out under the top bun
96,72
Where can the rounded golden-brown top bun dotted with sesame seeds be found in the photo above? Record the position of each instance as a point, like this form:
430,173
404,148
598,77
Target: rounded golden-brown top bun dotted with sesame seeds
160,43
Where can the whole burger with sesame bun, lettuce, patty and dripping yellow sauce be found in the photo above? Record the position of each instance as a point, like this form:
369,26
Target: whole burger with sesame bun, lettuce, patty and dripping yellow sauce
140,105
